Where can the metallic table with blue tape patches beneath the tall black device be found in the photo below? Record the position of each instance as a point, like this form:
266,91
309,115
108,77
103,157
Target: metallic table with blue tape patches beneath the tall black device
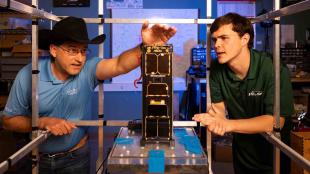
133,158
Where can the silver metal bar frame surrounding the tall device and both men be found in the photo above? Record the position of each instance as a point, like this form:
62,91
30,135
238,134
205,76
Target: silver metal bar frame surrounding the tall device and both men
39,136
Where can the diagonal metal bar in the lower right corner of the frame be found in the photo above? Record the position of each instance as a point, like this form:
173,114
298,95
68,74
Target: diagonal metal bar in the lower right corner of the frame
296,157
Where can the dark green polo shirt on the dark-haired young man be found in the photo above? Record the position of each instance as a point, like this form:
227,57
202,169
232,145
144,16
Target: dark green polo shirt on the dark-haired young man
250,97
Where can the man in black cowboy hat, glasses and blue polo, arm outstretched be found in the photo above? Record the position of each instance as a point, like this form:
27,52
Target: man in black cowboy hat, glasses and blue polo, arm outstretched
66,82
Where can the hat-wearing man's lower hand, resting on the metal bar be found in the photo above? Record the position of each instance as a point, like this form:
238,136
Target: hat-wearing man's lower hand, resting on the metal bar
56,126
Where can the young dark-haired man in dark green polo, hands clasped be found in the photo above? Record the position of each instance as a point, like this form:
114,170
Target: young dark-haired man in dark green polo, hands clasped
242,82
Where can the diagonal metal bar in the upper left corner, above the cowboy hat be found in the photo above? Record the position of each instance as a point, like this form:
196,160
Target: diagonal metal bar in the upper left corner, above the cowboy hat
23,8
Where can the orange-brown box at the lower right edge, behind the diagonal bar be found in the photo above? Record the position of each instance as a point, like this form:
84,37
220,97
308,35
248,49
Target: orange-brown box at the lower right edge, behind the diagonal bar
300,142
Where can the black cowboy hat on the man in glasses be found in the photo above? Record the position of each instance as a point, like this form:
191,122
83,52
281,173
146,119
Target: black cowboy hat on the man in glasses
68,29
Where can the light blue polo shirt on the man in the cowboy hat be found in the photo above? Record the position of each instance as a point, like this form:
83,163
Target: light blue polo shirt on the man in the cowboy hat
68,99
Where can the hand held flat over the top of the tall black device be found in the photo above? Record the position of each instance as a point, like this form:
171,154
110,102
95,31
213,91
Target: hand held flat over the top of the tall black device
158,34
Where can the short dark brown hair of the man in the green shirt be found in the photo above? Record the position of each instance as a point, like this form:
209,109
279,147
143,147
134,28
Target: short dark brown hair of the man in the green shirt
241,25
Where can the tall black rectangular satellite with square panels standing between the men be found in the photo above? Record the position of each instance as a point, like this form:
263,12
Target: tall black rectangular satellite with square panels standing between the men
157,94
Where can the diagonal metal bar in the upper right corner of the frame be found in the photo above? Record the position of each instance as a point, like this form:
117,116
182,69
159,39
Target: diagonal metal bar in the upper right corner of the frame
289,10
